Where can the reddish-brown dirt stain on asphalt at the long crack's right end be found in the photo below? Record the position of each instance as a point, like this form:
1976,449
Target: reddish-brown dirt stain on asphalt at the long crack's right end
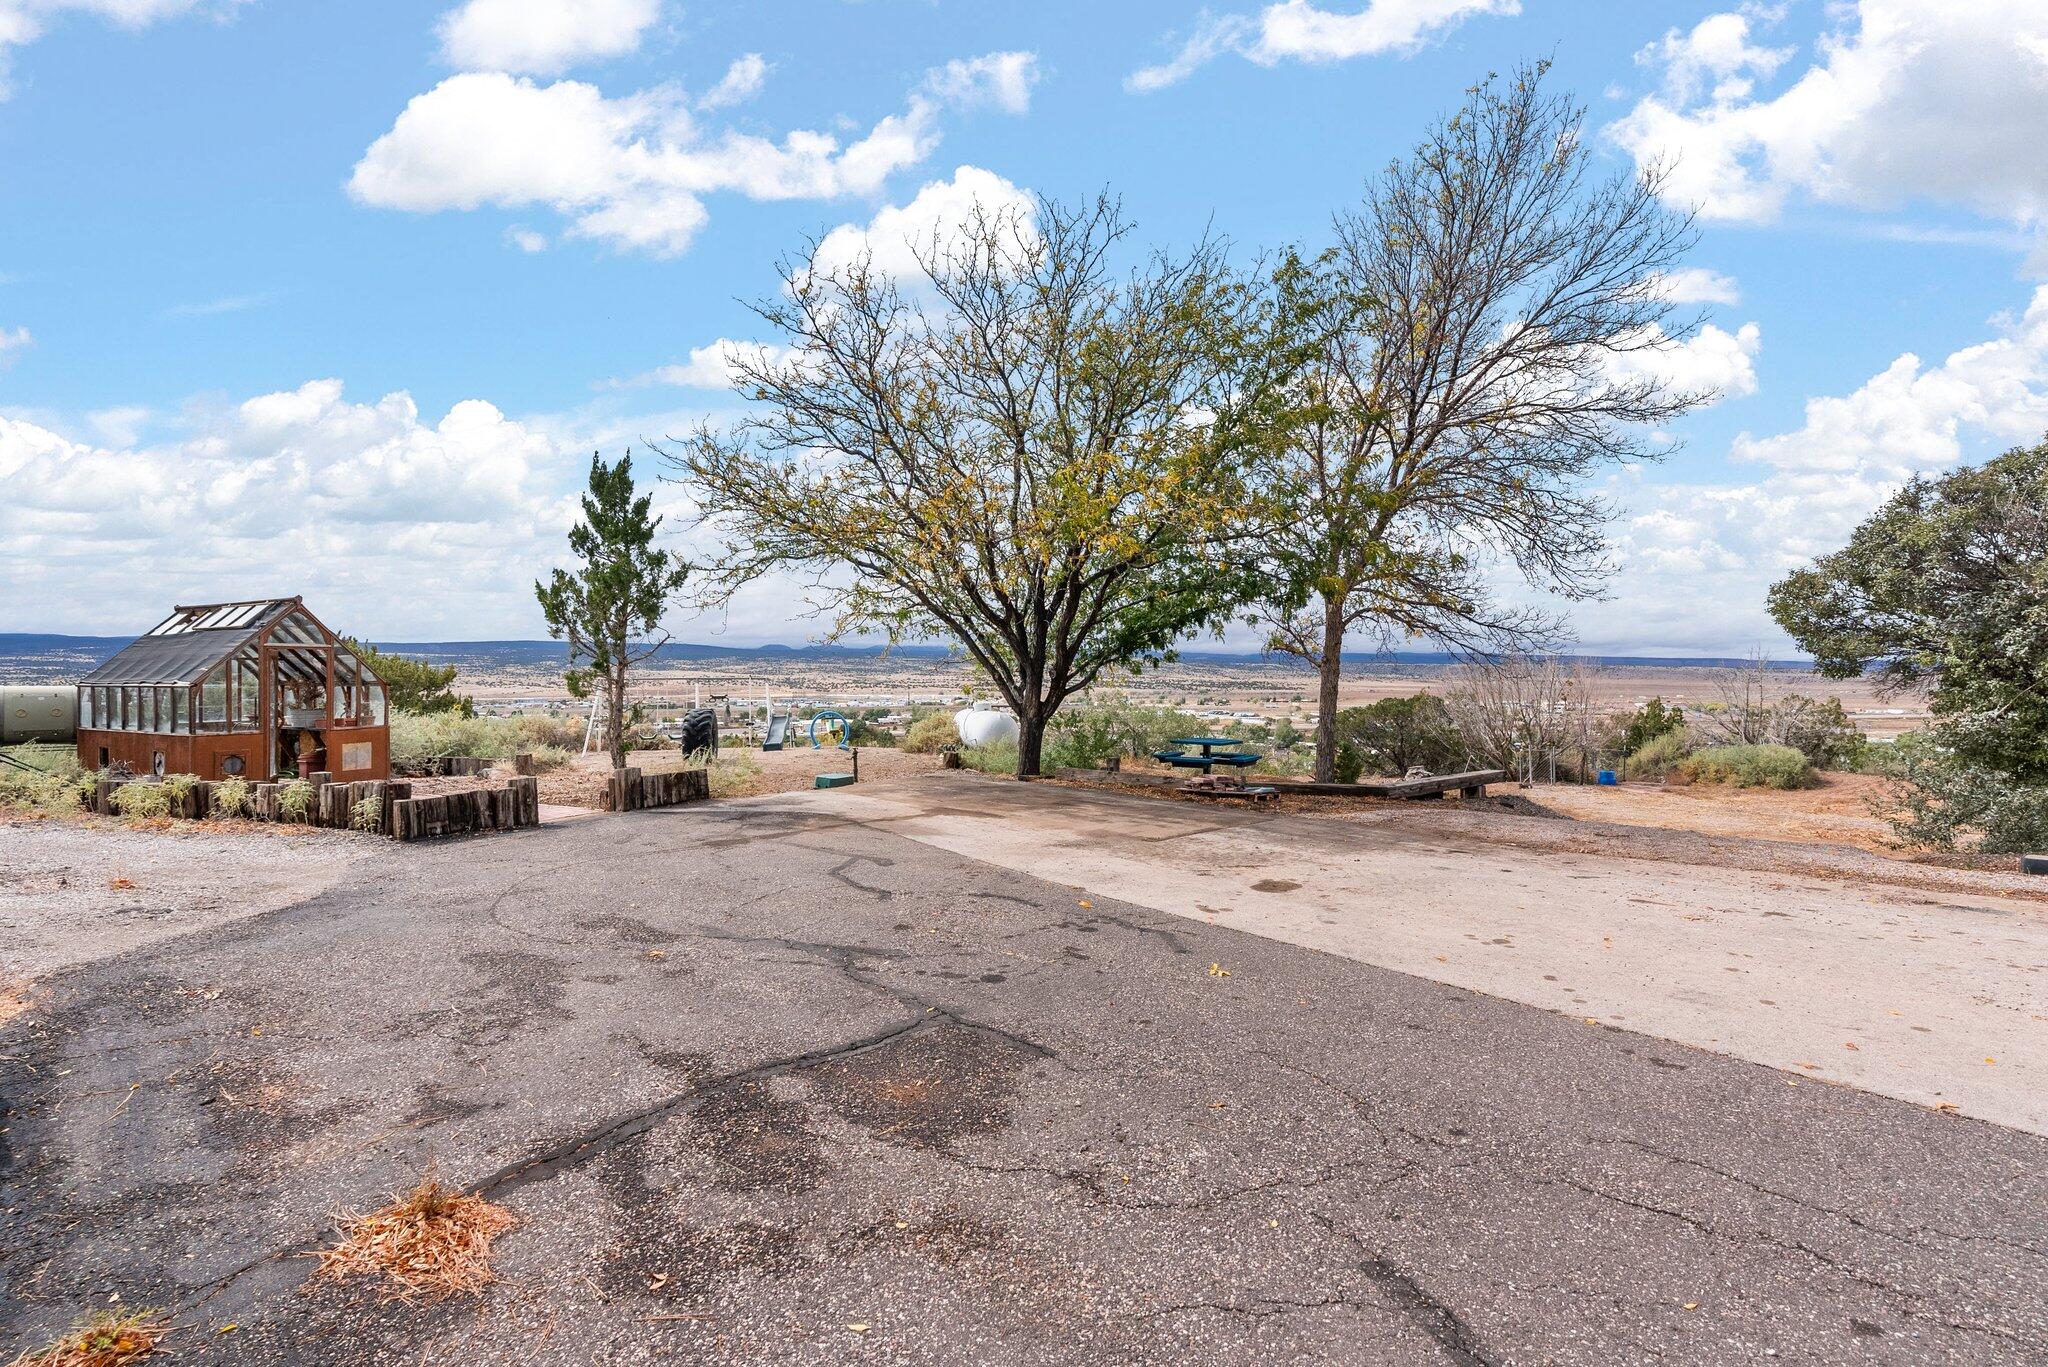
929,1089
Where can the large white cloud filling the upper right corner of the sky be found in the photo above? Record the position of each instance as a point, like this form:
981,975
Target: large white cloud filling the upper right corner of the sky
1910,101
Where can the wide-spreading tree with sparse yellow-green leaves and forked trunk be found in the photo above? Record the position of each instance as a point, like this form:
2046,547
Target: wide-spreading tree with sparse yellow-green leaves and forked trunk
1021,446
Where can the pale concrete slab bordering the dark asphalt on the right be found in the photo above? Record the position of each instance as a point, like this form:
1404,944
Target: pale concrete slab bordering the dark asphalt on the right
1940,1001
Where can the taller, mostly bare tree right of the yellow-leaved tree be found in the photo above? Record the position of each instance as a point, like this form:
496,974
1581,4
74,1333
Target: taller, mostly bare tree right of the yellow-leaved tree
1490,319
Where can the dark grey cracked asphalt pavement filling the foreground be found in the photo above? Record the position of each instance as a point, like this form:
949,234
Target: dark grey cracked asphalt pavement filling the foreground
753,1075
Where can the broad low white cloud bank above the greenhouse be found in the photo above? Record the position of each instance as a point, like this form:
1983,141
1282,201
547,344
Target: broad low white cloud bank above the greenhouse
353,505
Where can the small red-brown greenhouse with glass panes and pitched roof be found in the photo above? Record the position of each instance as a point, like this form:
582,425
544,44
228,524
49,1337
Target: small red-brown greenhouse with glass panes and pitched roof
237,690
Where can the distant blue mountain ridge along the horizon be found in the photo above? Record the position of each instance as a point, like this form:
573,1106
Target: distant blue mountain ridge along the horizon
50,649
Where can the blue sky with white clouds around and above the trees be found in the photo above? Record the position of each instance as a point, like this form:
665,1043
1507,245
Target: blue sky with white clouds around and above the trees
337,300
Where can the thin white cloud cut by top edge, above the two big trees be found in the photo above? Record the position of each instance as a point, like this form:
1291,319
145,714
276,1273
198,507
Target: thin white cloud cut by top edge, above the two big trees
1304,32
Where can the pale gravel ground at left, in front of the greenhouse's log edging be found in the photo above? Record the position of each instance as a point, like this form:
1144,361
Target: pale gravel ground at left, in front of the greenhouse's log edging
81,890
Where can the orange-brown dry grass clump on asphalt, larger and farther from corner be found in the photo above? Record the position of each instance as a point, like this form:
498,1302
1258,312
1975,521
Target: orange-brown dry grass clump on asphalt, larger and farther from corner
427,1245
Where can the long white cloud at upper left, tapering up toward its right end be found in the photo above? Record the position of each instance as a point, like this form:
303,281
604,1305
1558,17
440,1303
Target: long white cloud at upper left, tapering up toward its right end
630,171
